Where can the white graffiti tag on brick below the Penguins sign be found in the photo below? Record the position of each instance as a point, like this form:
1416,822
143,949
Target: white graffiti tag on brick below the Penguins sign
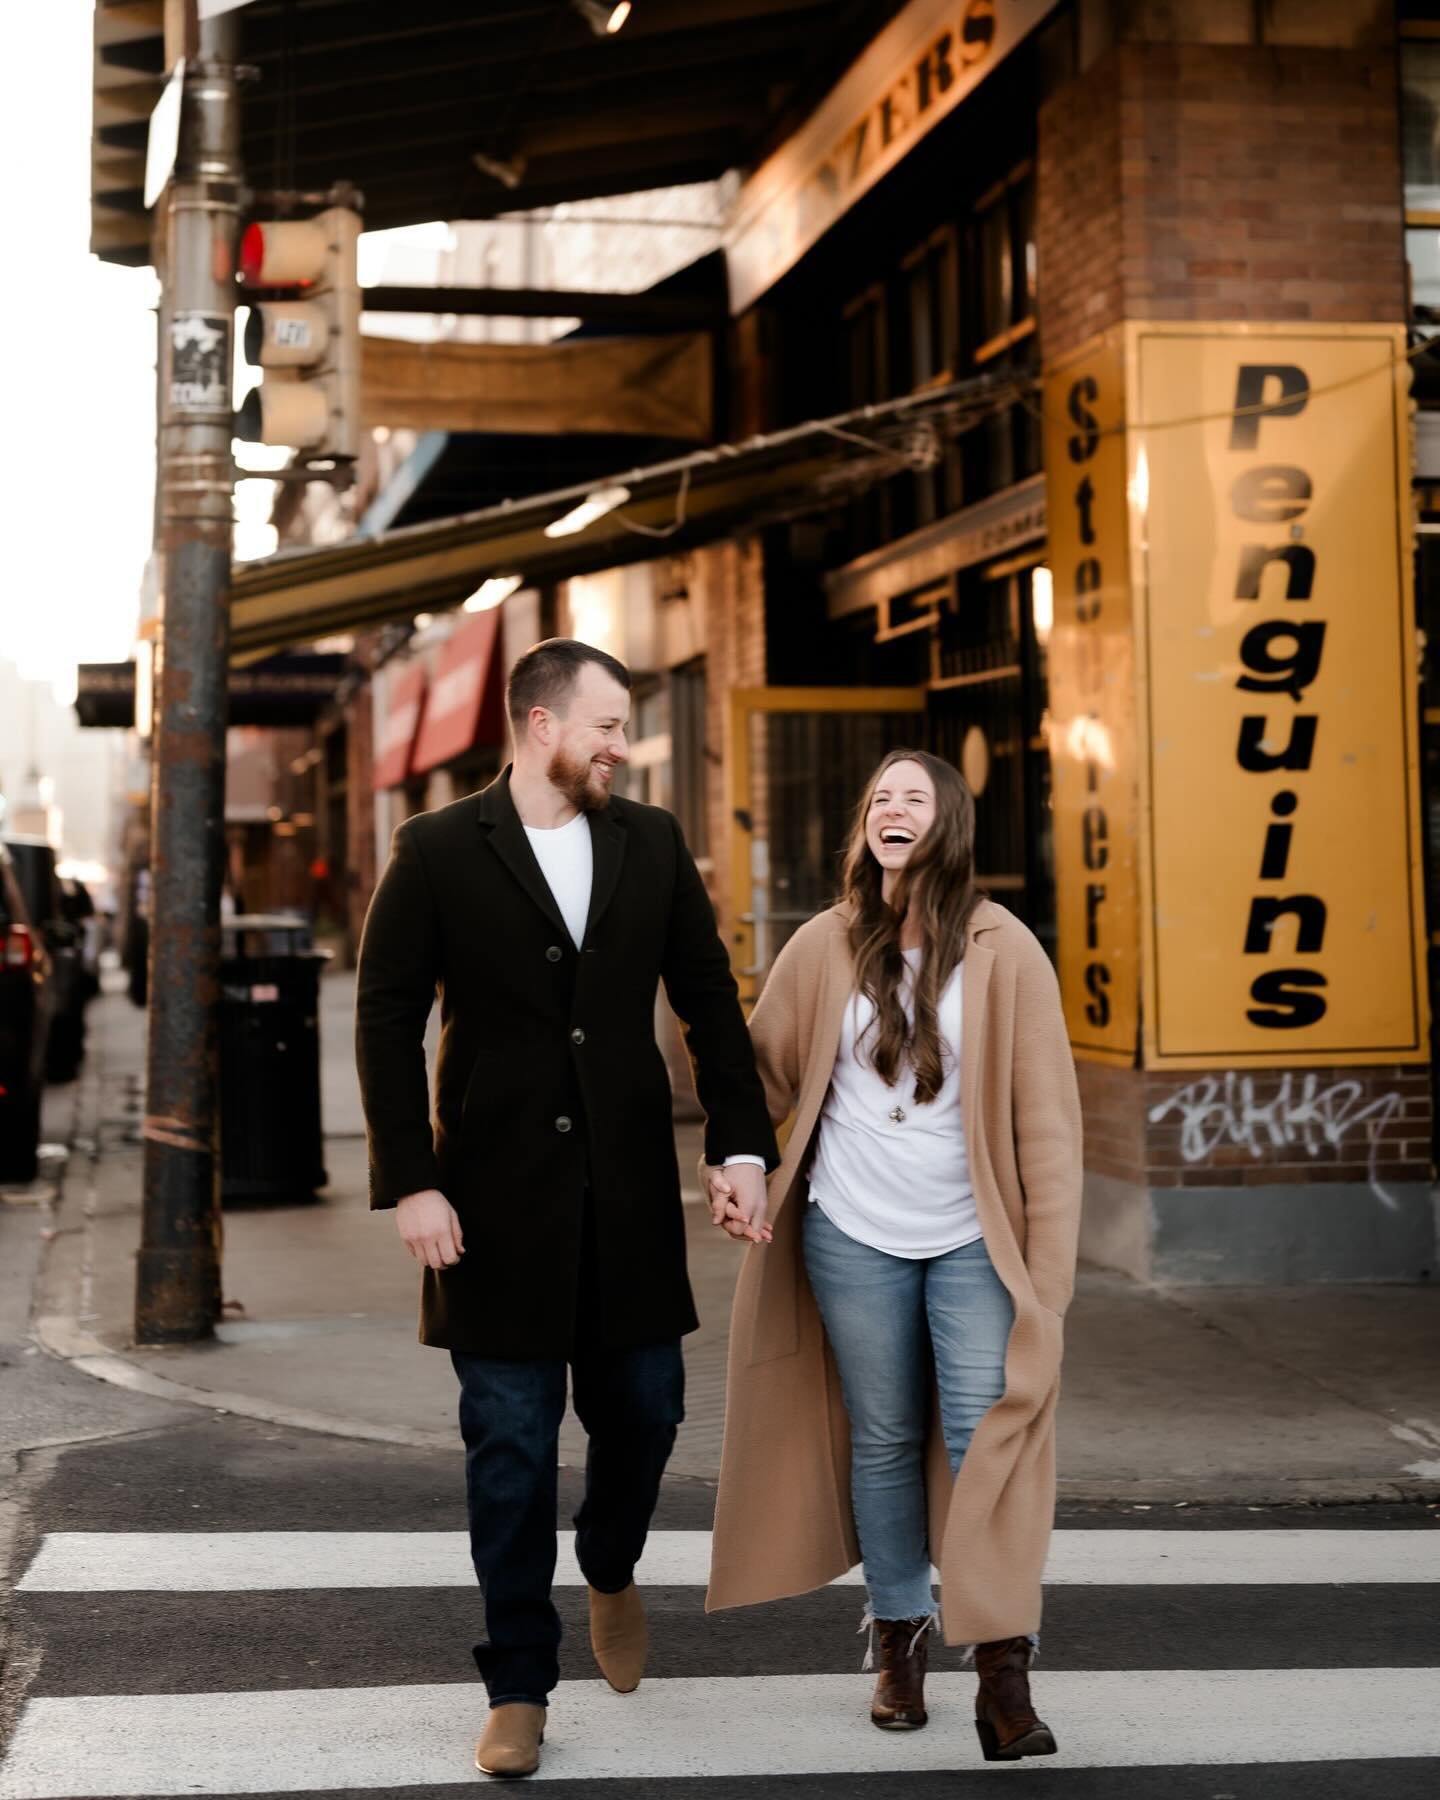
1300,1113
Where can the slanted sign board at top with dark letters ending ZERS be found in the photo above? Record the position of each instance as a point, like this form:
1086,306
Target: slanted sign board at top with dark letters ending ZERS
913,75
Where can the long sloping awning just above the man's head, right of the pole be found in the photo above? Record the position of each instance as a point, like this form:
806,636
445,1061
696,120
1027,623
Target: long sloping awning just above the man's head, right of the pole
300,597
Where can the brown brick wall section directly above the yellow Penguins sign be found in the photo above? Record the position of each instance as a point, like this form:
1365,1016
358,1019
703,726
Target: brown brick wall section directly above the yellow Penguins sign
1219,183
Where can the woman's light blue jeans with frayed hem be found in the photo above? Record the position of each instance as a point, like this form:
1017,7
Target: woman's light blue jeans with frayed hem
894,1324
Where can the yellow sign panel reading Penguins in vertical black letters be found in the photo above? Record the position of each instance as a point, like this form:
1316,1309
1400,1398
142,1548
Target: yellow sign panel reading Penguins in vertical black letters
1282,881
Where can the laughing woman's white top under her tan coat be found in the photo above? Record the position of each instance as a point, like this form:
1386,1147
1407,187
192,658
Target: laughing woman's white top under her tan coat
890,1173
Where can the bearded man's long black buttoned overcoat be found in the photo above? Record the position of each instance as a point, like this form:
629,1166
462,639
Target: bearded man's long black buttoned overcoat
550,1075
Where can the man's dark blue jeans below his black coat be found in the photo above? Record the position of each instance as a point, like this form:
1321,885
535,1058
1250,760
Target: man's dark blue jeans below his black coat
629,1403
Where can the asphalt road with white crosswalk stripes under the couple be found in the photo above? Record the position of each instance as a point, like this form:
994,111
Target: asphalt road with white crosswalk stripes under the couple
202,1648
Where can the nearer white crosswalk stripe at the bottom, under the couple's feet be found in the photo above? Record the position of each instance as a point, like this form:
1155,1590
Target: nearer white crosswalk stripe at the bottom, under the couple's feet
811,1725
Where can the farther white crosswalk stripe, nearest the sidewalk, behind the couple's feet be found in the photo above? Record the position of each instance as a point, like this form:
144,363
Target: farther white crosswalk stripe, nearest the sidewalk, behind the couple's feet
251,1561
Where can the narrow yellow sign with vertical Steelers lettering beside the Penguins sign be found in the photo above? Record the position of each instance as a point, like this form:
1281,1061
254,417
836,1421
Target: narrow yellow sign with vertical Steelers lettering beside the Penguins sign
1092,703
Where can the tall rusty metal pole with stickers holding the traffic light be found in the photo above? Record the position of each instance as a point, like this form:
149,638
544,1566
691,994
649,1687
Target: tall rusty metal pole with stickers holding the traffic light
177,1284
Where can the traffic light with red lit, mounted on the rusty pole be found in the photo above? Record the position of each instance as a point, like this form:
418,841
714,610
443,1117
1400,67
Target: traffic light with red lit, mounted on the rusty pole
309,346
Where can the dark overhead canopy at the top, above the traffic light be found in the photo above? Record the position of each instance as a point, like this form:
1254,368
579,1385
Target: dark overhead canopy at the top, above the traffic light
404,100
